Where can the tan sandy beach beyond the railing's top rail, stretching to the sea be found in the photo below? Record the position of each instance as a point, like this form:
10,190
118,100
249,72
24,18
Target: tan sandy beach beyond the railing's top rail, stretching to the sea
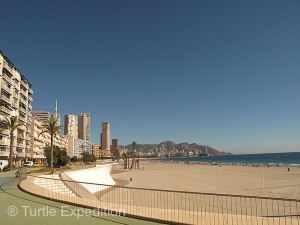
226,179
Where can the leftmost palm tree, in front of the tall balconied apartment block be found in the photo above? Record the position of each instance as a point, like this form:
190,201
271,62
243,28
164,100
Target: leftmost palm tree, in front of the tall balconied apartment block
11,124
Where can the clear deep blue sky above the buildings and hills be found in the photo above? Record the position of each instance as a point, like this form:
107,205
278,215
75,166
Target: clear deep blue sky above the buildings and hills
220,73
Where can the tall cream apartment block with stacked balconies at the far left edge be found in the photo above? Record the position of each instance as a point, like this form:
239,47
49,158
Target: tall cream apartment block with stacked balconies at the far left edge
15,100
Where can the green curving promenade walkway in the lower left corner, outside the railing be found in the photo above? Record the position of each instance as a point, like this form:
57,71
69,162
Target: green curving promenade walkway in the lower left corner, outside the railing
17,207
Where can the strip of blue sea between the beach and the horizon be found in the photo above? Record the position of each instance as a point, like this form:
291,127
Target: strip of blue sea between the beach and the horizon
277,159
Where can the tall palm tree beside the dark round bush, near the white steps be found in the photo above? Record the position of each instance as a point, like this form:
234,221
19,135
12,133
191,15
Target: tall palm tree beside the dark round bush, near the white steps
51,127
